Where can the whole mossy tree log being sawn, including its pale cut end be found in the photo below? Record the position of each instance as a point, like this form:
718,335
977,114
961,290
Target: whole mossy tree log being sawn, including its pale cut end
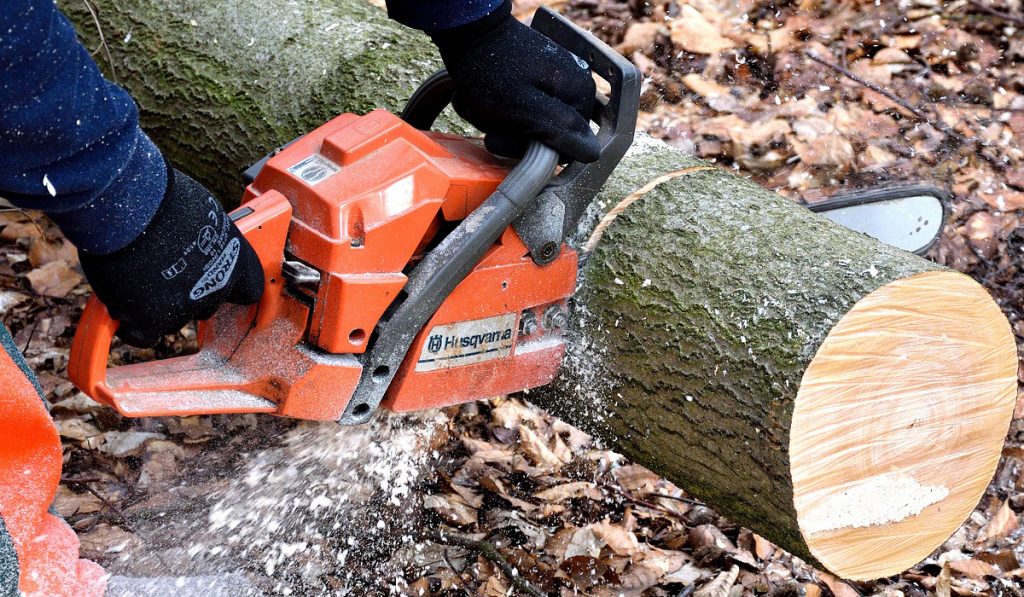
841,398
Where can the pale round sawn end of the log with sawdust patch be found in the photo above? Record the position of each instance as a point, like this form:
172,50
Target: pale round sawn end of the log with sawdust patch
900,423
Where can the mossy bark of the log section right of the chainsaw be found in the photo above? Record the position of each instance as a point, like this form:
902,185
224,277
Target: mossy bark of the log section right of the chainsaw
698,314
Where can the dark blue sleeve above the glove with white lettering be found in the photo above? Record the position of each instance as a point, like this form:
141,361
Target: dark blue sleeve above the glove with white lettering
70,141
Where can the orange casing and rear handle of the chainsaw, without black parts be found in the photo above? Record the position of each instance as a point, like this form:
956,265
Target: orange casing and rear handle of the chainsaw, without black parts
356,204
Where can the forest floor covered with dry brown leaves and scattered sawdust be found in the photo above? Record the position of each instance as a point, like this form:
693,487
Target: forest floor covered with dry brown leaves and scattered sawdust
808,98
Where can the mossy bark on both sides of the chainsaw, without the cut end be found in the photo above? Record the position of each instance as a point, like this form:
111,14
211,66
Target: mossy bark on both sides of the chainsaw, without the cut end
698,314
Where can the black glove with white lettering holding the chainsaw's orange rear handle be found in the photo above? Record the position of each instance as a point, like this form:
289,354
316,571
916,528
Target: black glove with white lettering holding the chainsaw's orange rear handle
189,262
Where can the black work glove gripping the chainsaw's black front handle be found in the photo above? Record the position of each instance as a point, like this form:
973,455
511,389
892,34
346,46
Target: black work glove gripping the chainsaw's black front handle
517,86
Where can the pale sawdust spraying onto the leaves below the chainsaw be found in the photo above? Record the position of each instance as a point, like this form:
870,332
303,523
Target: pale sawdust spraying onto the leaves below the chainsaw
319,513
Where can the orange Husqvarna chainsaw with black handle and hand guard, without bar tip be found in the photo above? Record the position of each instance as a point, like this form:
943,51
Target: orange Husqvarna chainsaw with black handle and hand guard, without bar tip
405,269
